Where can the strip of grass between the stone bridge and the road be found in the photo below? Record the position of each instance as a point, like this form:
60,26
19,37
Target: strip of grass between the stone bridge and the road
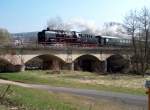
121,83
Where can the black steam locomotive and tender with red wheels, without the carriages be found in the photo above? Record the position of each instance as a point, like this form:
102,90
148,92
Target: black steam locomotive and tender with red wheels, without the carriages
60,37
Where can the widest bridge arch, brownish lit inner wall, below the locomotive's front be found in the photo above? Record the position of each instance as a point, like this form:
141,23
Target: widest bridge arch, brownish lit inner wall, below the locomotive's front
45,61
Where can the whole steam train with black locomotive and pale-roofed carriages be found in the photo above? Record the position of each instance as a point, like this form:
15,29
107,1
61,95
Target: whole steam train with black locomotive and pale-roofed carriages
73,38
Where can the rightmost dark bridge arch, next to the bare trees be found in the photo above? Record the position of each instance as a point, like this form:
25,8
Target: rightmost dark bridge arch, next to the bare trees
117,63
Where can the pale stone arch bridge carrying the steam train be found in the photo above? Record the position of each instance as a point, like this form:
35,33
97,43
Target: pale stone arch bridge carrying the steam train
86,59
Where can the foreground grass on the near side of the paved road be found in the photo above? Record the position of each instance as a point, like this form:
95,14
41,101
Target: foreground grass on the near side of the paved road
34,99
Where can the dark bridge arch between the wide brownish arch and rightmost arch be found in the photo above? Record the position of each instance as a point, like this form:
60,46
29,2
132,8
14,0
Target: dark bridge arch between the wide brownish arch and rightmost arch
87,62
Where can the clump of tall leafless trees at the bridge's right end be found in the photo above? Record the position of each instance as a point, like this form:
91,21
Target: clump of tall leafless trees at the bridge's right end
138,26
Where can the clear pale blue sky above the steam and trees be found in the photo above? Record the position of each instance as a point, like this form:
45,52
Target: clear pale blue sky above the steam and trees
33,15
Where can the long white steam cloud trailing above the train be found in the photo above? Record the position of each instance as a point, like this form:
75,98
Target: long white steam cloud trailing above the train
87,26
